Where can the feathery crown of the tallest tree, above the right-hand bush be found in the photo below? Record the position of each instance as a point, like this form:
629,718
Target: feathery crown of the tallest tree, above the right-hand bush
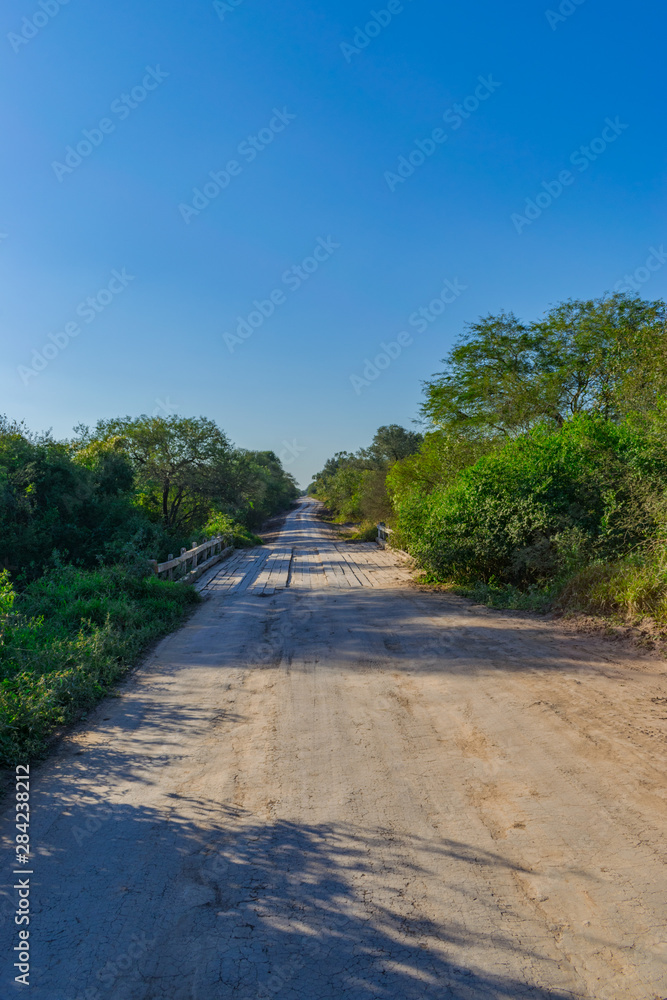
601,356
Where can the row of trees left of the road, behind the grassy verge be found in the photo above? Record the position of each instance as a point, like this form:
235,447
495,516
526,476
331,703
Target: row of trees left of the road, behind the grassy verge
127,492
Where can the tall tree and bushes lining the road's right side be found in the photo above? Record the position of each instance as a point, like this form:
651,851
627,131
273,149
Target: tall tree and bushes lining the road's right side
541,477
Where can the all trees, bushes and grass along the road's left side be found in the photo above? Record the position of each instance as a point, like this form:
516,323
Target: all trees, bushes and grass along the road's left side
80,522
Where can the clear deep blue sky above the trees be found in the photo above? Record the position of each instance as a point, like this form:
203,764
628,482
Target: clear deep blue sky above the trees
303,112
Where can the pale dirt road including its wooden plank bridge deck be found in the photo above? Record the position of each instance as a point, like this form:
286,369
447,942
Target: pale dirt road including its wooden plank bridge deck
331,785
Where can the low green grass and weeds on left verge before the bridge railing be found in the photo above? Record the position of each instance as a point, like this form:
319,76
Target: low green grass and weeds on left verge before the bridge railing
67,639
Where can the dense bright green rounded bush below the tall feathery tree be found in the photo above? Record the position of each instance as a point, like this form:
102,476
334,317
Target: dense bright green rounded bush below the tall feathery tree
543,506
